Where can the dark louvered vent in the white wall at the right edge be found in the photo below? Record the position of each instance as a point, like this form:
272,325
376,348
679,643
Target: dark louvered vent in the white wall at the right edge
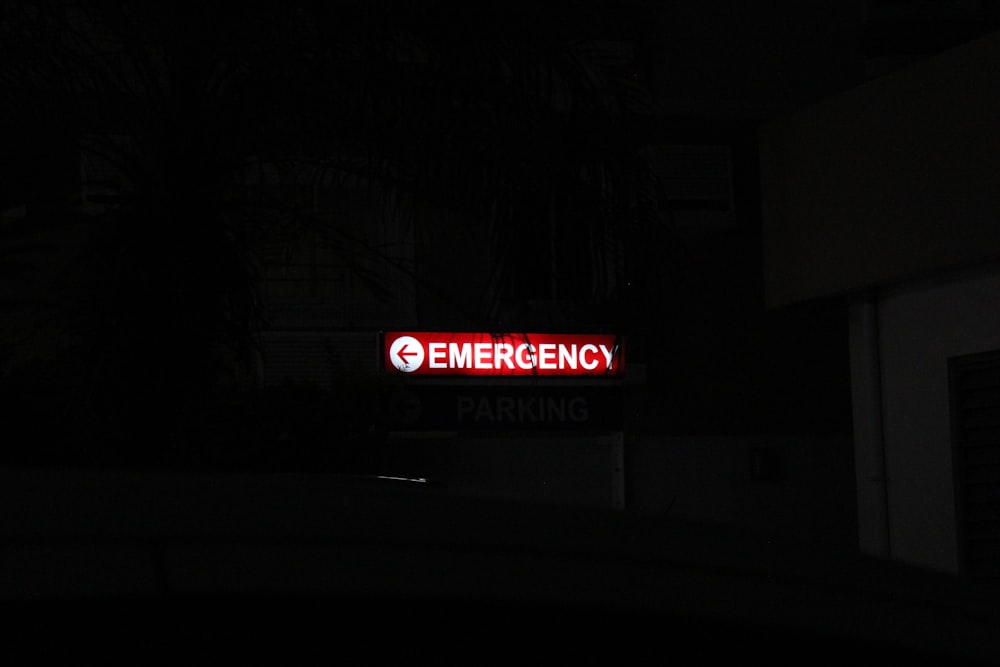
975,388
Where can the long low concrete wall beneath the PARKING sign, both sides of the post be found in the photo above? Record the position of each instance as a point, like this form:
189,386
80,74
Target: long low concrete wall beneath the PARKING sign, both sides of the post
799,488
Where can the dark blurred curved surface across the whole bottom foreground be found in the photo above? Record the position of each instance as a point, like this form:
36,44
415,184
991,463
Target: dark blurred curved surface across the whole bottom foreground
190,565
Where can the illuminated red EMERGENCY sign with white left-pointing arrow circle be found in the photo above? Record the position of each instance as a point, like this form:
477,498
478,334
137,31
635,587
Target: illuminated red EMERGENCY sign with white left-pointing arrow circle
438,353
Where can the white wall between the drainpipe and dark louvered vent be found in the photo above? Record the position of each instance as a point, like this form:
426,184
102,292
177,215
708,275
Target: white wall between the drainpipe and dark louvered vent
921,325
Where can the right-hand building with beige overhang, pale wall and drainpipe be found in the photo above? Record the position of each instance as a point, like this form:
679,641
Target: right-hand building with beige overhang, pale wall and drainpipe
887,193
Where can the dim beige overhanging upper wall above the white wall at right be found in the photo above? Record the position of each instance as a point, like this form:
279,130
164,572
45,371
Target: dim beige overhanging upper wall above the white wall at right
887,182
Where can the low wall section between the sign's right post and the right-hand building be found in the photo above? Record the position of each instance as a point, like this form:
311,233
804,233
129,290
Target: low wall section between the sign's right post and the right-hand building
799,487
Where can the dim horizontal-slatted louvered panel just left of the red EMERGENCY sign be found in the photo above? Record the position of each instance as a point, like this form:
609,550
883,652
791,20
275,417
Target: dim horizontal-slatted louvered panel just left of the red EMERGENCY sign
318,357
